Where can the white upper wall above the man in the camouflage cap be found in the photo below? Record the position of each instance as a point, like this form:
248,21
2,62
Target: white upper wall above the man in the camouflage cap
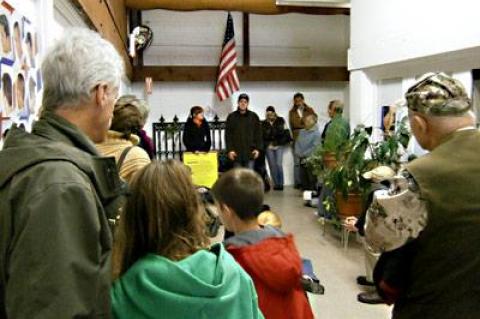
403,40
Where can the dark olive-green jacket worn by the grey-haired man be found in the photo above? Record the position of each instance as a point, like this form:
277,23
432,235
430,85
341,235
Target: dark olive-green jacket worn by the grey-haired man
55,240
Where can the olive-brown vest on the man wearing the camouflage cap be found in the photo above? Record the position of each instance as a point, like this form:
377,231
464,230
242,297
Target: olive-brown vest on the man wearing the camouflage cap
444,277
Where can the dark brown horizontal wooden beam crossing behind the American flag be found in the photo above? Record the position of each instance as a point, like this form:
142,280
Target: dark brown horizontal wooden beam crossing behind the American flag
245,73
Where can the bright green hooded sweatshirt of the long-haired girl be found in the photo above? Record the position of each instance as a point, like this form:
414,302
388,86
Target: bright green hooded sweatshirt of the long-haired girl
205,285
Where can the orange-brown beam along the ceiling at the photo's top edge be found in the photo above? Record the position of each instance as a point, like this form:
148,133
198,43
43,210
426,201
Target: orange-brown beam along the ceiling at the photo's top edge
247,6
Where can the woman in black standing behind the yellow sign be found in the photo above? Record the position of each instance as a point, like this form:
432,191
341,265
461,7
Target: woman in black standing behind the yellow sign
196,134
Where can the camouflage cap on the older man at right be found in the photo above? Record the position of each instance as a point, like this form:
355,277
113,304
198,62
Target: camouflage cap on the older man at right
438,94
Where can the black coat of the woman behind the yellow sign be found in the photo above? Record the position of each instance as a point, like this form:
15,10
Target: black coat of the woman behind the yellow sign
197,139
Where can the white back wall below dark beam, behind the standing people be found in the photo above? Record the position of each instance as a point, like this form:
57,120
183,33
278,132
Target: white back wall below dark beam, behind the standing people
170,99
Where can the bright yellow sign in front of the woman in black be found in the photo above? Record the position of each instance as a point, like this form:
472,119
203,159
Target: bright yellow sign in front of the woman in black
204,167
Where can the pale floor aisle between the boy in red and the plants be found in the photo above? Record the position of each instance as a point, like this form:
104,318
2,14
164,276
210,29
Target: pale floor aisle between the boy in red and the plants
336,268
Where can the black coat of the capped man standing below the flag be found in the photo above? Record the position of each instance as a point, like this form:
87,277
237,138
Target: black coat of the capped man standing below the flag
243,134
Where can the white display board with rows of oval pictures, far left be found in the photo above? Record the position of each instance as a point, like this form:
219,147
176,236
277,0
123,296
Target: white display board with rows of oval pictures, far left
20,78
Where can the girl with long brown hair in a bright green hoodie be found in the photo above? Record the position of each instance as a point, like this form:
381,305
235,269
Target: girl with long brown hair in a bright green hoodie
162,262
